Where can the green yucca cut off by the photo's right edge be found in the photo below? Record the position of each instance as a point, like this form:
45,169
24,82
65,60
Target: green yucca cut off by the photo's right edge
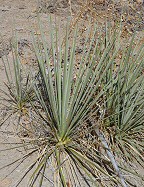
124,118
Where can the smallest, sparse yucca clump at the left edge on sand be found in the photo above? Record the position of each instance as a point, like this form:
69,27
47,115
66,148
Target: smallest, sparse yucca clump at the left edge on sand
18,92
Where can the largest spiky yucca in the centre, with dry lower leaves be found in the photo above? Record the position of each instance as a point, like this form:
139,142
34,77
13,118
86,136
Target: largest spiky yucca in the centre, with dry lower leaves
71,100
